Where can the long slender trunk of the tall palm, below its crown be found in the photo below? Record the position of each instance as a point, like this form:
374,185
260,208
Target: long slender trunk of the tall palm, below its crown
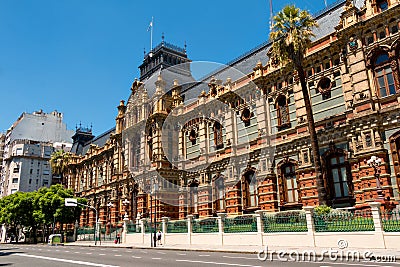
313,136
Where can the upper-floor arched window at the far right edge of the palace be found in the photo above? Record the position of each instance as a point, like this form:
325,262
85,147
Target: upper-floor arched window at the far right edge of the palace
384,75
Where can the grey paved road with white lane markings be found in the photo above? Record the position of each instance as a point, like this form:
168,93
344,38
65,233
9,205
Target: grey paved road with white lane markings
46,256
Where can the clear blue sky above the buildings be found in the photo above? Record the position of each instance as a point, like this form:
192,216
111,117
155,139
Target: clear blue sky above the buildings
80,57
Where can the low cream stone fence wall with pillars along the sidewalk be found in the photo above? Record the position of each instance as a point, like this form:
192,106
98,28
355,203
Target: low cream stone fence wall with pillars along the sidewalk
375,237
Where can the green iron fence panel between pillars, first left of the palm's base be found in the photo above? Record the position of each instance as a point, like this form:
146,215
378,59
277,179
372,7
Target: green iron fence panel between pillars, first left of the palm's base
292,221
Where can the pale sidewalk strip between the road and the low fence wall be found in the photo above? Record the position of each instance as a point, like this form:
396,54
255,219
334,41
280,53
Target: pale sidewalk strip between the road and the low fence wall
247,249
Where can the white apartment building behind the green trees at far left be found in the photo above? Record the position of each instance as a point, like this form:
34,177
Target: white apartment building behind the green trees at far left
28,146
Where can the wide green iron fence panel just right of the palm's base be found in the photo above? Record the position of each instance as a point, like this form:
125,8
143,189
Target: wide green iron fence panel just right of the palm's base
344,221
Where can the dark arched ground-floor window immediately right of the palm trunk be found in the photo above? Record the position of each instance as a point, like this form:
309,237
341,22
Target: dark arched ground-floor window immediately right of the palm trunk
338,180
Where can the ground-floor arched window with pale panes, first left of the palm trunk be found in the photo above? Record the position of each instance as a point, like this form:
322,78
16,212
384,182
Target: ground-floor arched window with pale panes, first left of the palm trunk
289,183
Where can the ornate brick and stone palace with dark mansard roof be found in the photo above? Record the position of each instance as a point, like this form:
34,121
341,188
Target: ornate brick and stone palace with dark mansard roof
237,141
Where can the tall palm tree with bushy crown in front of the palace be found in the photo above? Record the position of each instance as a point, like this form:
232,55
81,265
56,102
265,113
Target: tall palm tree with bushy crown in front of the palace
291,36
